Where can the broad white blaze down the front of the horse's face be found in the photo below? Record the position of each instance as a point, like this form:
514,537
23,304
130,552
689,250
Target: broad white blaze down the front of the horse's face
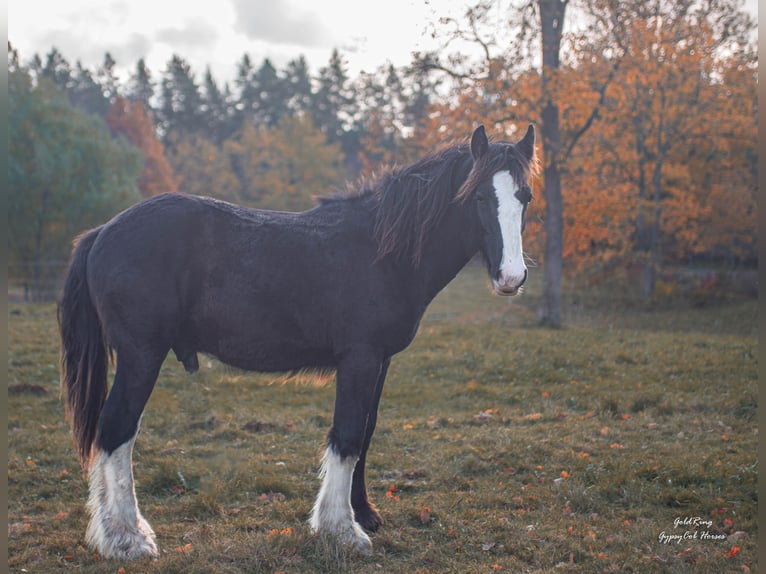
509,210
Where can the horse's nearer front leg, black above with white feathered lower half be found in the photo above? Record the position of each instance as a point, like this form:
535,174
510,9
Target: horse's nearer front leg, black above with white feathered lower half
358,373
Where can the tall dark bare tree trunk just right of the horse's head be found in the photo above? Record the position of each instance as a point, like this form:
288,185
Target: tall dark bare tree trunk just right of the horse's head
552,21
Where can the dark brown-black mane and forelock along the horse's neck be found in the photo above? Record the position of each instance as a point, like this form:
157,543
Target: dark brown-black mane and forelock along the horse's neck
408,202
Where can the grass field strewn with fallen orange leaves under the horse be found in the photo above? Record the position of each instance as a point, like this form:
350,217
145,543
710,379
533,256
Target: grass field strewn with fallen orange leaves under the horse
500,447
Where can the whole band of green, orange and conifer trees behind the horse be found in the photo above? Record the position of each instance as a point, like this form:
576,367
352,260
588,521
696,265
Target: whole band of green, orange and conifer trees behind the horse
657,107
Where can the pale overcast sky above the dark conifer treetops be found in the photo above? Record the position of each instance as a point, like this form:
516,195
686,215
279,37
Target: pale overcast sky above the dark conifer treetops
218,33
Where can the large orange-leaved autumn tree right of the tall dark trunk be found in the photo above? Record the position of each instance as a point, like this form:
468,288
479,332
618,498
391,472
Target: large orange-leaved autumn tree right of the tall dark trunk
670,126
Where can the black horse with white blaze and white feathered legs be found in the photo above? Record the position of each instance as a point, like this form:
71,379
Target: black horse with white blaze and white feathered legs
340,287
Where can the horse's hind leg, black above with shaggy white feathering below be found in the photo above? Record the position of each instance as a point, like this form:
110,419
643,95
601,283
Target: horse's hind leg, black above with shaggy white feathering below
116,528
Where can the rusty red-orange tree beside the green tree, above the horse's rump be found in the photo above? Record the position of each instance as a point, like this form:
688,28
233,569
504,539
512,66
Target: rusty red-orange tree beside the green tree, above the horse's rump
129,119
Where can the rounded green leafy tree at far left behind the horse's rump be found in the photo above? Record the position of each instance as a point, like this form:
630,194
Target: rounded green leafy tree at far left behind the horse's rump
65,173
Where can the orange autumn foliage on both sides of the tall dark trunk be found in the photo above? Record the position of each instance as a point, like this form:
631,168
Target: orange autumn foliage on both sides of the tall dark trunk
659,131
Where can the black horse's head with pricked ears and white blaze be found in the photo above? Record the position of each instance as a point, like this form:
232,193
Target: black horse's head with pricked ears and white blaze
498,190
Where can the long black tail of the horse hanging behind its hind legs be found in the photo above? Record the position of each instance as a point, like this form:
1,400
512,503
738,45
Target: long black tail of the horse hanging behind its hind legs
84,355
